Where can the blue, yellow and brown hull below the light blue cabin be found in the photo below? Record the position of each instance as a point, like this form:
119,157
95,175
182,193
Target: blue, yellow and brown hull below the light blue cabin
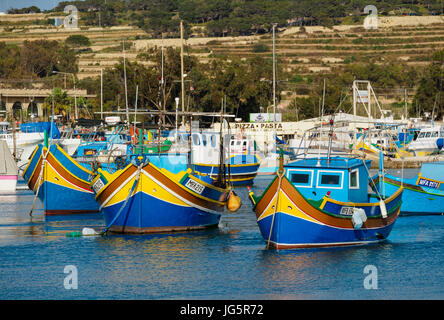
287,220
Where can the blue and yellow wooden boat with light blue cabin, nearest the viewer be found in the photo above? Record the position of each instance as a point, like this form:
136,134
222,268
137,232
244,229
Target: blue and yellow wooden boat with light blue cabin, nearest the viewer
324,202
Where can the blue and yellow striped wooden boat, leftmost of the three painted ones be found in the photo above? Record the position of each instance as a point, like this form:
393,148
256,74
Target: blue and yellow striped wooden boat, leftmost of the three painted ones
59,181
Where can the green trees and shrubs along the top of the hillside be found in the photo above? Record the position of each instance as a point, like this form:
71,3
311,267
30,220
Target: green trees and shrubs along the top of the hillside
232,17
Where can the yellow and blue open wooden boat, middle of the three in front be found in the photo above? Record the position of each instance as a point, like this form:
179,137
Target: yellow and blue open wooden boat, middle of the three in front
143,198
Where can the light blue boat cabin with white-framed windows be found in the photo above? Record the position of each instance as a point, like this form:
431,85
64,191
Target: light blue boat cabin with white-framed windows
343,179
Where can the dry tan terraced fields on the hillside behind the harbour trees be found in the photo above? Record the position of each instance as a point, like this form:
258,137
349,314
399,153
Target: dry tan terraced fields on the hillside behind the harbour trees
308,51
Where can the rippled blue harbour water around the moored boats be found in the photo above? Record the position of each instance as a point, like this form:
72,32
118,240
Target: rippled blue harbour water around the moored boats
229,262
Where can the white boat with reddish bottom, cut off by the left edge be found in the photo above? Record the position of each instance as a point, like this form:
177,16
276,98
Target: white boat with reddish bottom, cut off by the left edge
8,169
